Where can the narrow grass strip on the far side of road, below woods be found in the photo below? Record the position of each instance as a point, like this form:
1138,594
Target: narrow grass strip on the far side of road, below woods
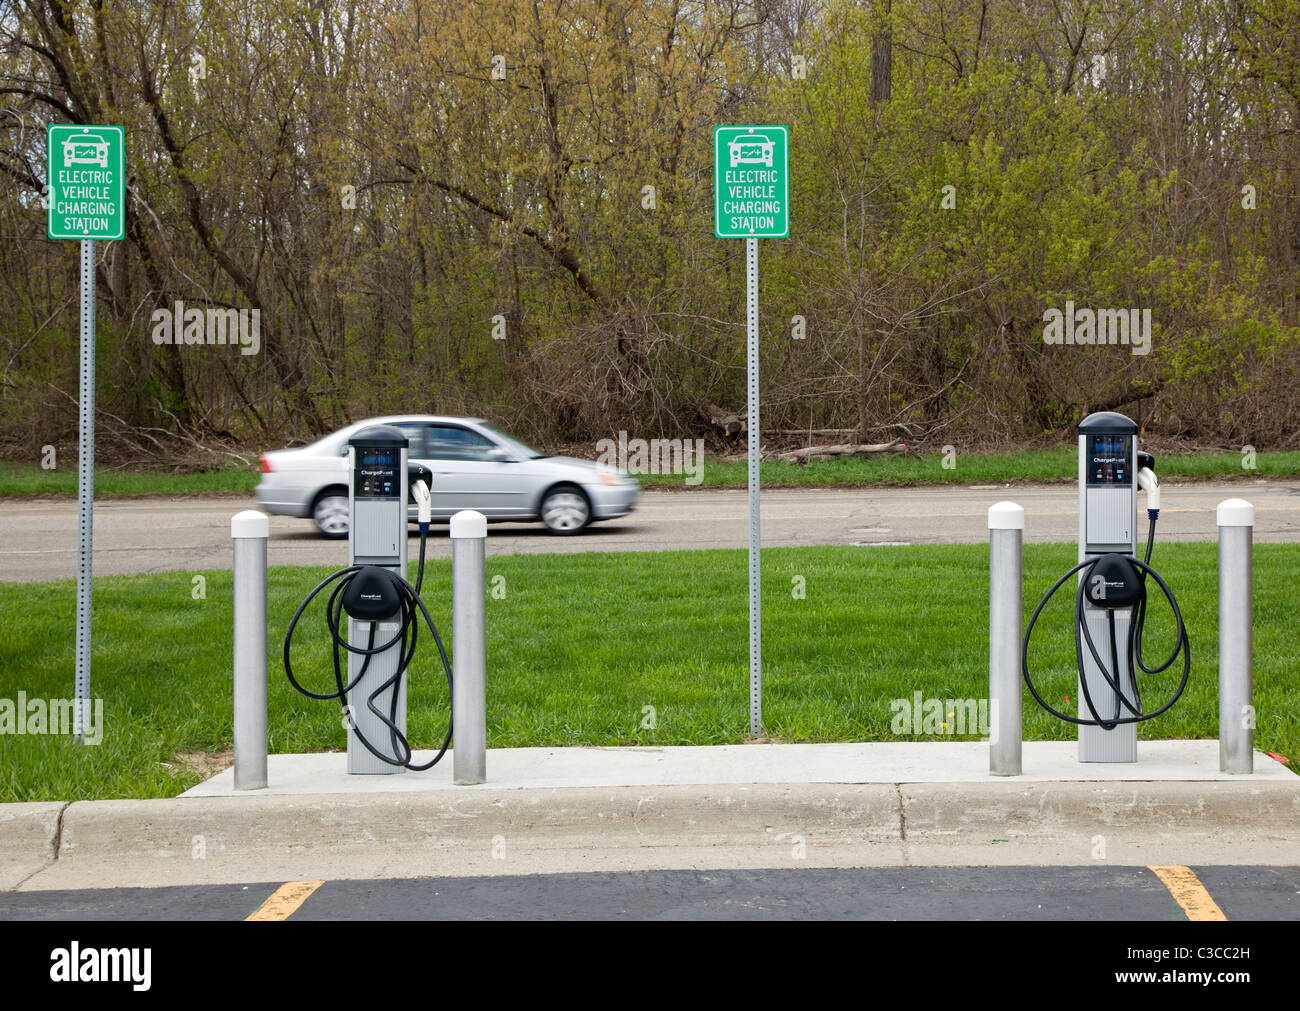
27,480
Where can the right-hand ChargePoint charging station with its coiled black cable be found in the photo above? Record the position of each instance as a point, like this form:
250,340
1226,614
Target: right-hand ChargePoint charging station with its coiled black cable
1111,601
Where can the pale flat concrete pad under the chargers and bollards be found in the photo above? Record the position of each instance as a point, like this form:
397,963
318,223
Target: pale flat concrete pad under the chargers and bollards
956,762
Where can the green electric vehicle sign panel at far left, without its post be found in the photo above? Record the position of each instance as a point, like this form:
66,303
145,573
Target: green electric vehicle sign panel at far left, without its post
88,184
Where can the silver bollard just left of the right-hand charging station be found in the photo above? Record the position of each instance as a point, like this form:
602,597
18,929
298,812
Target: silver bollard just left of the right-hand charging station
1006,592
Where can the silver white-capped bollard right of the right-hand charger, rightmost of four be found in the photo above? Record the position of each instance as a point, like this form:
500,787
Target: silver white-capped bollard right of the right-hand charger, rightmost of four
1237,648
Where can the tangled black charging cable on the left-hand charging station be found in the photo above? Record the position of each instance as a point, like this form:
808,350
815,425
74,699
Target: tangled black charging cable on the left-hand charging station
409,611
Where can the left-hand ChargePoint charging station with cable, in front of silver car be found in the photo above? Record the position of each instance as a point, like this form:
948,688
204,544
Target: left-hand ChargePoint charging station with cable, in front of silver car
383,609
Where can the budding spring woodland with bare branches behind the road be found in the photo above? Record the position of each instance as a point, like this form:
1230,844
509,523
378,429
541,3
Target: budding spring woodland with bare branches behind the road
385,181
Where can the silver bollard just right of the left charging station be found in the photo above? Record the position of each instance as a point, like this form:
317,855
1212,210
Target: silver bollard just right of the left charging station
469,648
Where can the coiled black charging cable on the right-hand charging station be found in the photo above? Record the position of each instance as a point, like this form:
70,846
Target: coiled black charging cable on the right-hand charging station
1084,636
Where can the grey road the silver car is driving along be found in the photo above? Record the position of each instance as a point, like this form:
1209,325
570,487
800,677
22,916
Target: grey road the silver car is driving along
38,539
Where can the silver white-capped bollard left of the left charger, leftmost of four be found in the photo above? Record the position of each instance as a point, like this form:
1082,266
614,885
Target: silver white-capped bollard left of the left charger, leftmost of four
249,532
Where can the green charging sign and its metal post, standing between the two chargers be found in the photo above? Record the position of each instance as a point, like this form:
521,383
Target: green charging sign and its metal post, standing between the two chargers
752,184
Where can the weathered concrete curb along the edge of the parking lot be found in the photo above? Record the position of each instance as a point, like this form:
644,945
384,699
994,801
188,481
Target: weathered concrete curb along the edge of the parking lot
109,844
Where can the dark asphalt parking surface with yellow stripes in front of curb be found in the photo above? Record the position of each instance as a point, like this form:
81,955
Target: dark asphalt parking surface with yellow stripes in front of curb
960,893
